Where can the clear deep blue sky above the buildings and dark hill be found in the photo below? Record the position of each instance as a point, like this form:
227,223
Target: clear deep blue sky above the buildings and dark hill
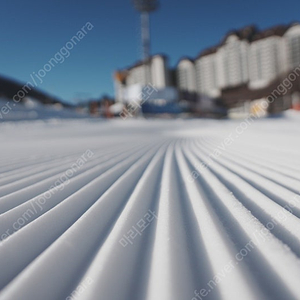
32,32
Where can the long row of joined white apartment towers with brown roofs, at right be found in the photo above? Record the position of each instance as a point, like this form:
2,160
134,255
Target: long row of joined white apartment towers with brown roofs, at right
247,60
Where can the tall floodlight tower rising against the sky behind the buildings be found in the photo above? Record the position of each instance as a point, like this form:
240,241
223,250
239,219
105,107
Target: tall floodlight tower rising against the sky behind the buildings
145,7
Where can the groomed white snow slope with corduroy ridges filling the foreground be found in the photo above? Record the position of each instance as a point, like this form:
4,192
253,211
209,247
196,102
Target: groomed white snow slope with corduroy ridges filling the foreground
154,210
